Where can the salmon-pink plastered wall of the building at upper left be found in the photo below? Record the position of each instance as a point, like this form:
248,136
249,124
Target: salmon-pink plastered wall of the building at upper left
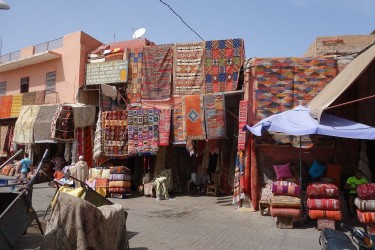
70,69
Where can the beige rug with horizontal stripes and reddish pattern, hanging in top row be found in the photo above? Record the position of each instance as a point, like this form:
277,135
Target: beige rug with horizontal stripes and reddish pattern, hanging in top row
188,68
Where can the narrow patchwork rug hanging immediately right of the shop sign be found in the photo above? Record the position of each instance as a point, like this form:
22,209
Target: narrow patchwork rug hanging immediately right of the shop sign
135,75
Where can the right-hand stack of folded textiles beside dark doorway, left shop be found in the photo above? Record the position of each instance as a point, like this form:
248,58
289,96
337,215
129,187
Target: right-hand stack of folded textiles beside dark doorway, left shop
119,182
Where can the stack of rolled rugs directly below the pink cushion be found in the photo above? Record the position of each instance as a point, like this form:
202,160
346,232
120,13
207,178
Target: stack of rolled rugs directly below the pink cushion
285,204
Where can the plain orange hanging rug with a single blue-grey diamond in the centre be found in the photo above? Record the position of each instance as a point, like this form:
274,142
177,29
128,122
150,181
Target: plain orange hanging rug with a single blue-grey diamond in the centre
193,113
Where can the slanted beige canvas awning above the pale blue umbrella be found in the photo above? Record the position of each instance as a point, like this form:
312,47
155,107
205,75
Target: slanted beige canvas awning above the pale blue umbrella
341,82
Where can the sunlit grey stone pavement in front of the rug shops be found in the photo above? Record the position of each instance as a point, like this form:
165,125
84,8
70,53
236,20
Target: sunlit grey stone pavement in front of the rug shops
191,222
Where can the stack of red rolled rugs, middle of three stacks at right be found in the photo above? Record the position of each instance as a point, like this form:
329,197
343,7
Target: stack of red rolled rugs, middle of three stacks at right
324,204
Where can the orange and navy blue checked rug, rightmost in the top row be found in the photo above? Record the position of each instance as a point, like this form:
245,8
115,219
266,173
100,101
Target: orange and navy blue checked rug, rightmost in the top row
223,61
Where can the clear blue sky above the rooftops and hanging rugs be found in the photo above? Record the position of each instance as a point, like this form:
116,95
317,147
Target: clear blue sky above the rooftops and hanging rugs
270,28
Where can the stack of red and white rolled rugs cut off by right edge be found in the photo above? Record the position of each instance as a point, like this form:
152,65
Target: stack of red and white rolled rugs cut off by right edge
365,202
